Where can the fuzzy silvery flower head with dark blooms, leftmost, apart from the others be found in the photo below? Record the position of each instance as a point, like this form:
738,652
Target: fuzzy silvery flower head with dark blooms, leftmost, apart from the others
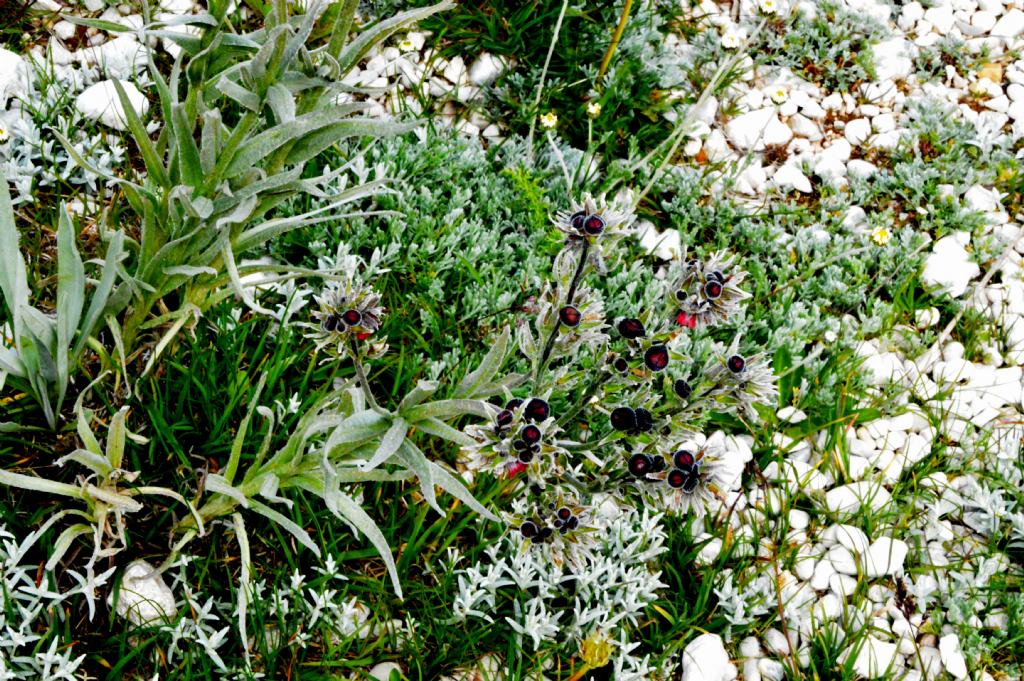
350,312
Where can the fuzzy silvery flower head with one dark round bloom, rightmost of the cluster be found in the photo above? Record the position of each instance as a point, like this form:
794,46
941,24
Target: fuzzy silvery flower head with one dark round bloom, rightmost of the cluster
740,381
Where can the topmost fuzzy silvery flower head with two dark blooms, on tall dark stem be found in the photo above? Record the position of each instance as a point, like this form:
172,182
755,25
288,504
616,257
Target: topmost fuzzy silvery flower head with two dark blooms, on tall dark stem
594,224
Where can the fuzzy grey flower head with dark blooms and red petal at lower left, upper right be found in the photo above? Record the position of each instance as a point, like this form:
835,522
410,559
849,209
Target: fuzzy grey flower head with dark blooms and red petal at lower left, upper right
707,291
